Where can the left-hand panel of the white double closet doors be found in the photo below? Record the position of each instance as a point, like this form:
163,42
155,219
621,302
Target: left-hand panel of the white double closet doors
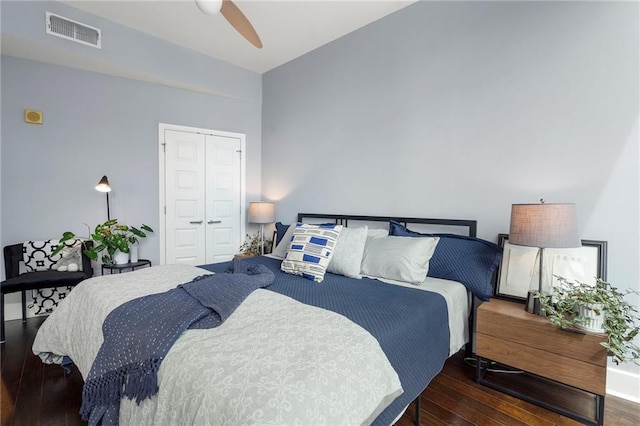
185,198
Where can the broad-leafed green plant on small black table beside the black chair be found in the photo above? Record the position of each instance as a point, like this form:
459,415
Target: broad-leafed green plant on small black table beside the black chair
110,236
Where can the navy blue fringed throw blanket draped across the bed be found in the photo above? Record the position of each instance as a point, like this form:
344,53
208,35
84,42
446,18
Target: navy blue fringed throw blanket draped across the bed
139,333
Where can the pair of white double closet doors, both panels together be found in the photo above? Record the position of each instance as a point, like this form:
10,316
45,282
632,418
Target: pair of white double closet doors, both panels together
203,192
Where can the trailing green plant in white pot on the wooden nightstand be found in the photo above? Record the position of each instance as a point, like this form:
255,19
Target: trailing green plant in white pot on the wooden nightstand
574,304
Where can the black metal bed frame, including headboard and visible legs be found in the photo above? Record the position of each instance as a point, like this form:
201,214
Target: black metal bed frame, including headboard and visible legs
471,227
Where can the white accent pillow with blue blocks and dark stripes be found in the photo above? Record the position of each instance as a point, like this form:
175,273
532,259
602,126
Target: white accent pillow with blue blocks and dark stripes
311,250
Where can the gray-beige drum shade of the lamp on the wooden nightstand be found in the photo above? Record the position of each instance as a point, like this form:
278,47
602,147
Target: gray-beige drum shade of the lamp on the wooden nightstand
544,225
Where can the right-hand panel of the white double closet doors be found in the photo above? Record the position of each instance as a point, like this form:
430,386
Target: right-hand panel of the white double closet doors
223,198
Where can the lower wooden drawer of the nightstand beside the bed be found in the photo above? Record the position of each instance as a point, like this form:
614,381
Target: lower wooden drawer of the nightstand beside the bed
583,375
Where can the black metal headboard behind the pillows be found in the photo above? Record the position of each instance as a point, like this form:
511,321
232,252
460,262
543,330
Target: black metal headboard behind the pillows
471,226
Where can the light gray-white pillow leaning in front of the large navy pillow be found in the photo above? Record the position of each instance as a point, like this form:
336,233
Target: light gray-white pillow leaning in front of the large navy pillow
398,258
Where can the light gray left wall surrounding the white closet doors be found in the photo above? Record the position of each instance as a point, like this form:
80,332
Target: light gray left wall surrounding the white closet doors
97,124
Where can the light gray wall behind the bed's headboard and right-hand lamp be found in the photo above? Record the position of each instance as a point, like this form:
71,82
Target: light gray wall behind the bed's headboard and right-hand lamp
458,110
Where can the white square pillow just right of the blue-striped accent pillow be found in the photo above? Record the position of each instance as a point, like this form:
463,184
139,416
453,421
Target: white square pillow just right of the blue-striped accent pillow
347,256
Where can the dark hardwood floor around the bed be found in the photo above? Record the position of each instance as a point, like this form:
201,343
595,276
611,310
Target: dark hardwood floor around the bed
37,394
